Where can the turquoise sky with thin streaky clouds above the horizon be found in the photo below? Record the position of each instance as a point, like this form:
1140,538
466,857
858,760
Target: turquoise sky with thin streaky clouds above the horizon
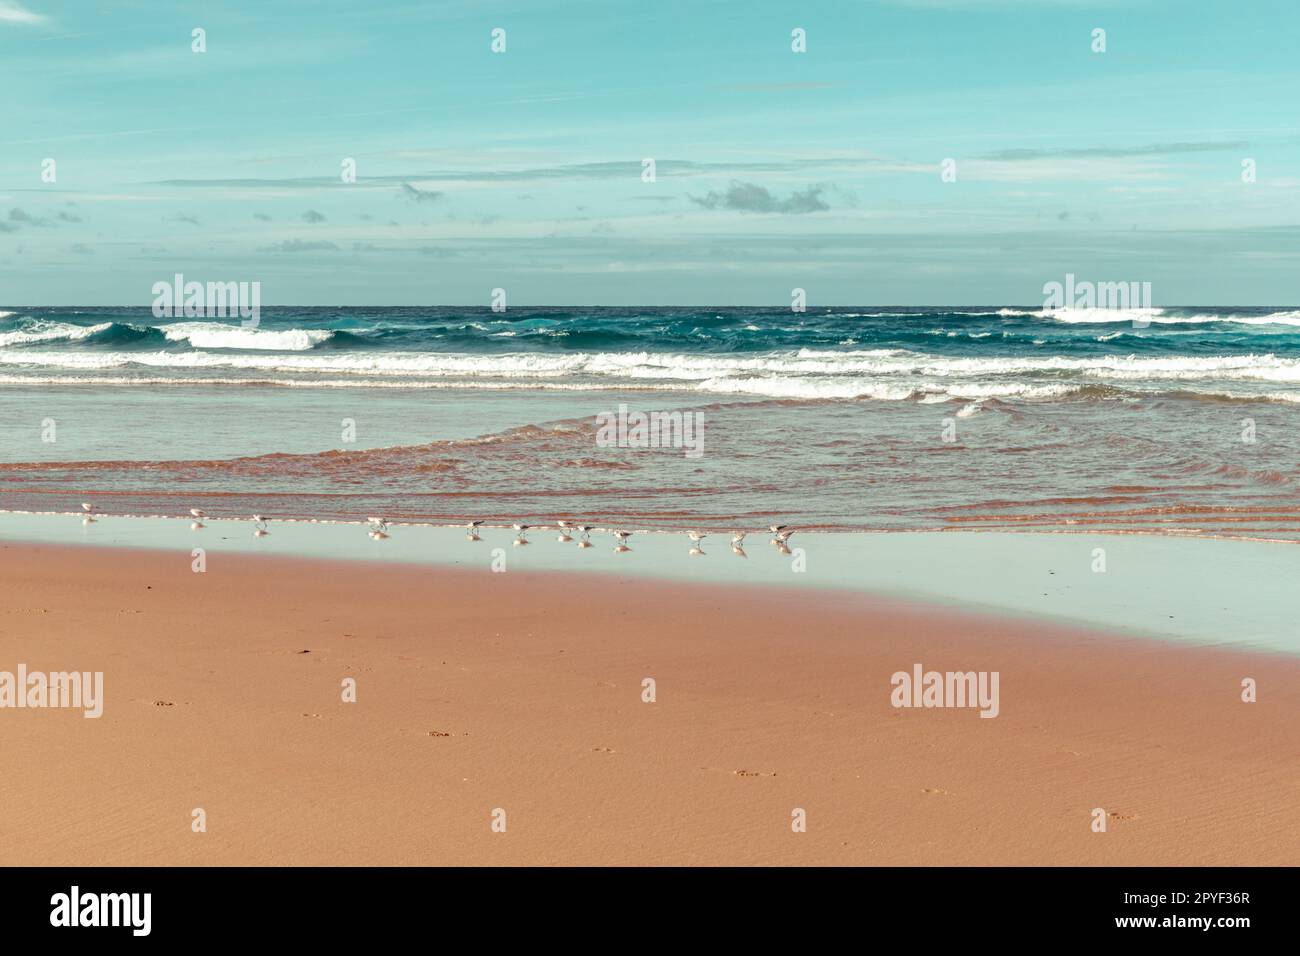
774,170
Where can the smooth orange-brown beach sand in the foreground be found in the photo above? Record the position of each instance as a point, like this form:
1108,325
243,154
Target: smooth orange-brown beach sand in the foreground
478,691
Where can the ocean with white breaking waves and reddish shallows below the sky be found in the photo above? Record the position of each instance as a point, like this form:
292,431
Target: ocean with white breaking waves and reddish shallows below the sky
1176,421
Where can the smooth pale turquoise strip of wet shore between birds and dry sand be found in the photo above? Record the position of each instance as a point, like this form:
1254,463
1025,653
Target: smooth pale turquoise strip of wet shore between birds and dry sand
1204,591
